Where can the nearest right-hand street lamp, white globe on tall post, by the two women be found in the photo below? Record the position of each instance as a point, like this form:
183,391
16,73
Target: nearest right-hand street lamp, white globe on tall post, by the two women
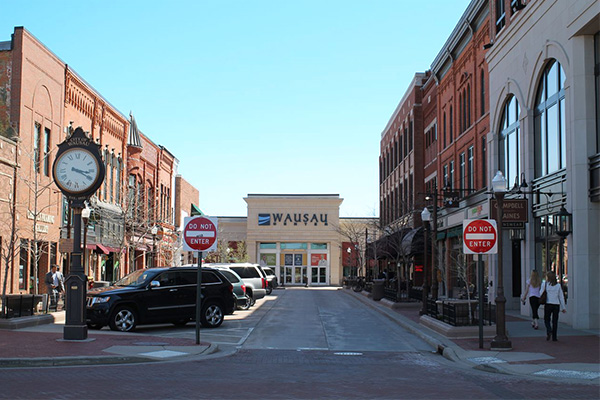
500,341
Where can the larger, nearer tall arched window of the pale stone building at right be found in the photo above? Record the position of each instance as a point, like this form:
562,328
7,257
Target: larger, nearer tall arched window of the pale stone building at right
550,135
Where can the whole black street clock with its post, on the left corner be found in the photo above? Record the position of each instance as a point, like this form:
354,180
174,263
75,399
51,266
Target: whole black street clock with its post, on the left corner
78,171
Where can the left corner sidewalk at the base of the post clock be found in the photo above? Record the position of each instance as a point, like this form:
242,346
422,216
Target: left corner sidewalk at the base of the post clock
43,345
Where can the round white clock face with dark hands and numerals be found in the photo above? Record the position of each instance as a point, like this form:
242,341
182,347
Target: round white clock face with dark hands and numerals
76,170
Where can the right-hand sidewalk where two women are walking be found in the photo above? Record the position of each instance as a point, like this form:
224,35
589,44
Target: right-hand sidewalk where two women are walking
576,355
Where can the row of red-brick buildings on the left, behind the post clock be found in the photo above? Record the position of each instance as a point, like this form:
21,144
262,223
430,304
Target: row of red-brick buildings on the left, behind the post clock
41,99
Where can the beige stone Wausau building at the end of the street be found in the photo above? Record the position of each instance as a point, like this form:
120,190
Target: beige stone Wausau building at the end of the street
300,236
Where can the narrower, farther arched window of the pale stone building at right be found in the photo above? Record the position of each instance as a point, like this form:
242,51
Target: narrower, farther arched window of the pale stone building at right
510,141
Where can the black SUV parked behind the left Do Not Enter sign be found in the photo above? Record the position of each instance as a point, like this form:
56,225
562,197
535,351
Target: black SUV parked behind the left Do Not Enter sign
159,295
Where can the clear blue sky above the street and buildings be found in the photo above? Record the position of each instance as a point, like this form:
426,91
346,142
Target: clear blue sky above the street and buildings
251,96
